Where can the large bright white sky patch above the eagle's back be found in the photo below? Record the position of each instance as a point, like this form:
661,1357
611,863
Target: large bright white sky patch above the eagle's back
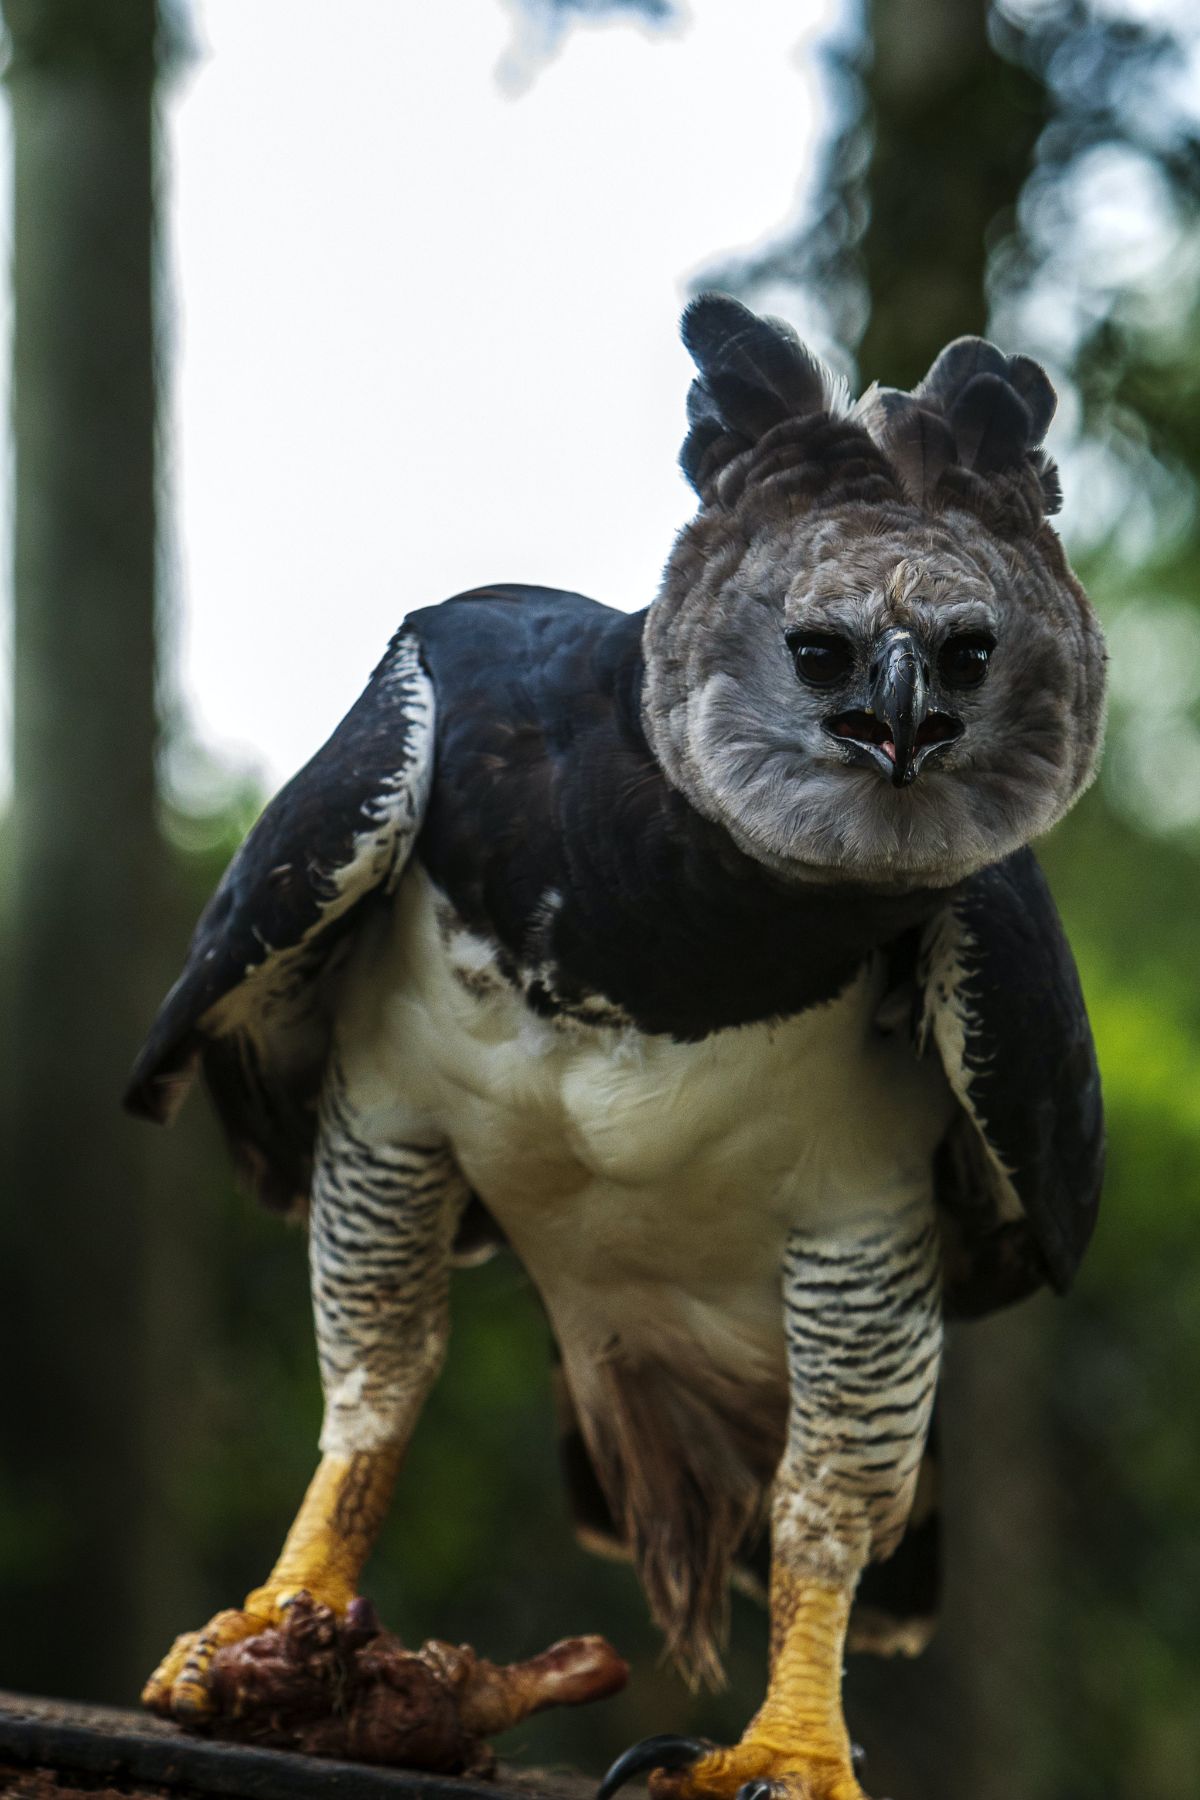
425,325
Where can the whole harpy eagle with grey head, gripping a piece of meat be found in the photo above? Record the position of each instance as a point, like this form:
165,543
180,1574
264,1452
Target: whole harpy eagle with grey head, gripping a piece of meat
703,951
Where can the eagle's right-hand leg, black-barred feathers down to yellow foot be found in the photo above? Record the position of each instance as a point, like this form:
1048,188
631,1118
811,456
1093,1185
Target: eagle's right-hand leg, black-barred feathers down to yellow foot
863,1317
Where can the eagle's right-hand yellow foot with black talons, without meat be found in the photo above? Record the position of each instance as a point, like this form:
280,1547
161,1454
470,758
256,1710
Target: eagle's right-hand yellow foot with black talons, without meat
686,1768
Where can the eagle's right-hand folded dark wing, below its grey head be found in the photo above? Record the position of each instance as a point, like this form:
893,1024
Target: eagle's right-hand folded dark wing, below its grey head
1021,1171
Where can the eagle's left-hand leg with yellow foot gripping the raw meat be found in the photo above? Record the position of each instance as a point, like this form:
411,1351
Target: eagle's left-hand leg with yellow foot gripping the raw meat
382,1225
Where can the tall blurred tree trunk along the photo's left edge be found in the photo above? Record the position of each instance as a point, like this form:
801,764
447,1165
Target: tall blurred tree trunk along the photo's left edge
87,854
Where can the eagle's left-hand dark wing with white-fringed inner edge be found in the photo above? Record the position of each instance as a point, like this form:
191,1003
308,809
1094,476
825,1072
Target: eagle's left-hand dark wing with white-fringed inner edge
255,1000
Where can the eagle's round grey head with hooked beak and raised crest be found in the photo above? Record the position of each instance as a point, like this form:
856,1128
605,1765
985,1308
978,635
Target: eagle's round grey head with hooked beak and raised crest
870,660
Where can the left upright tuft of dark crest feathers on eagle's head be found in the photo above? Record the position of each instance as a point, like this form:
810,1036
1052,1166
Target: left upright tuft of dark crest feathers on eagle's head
755,373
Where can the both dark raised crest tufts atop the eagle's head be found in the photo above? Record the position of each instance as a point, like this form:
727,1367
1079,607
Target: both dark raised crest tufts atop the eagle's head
978,413
